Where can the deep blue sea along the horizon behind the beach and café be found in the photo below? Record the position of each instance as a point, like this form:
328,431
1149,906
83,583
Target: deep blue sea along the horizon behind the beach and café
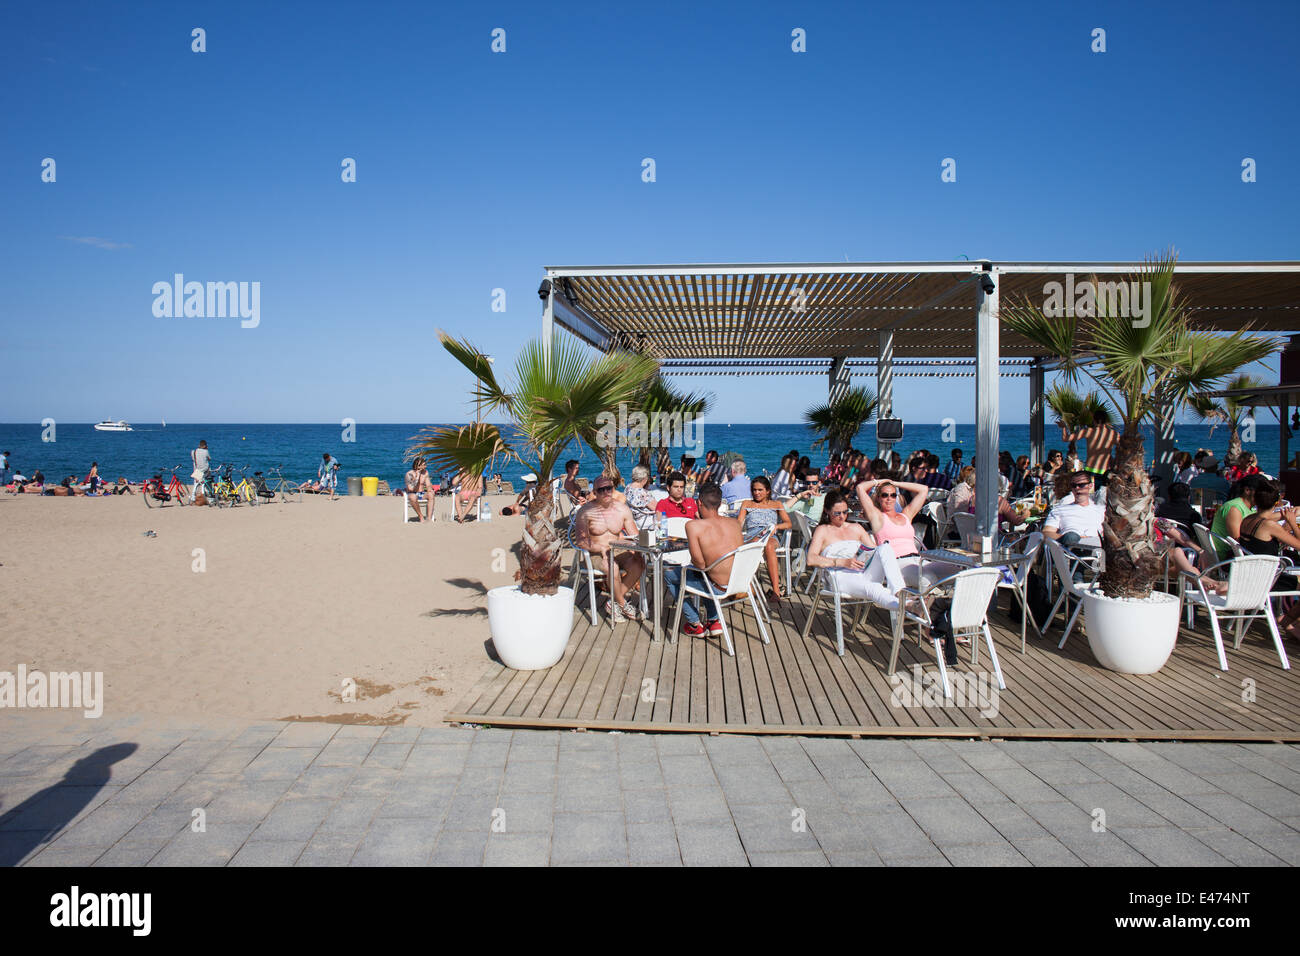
64,449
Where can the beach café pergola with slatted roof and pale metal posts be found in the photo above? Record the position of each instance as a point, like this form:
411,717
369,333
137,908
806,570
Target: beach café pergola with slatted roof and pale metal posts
902,318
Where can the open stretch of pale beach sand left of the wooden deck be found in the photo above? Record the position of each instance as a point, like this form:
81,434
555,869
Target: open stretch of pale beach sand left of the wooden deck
292,600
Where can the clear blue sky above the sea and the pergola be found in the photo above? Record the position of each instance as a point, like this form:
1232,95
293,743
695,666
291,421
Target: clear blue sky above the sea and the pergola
478,170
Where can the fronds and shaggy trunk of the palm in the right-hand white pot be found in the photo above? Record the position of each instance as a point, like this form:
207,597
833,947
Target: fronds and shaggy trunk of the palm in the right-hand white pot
1141,369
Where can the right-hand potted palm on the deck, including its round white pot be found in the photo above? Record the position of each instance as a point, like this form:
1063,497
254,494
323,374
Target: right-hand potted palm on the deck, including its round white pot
1141,367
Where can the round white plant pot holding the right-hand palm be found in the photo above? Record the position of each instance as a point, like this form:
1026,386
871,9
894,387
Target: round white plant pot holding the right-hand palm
1132,637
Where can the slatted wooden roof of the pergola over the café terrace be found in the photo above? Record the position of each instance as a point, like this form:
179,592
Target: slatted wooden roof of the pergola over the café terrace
733,312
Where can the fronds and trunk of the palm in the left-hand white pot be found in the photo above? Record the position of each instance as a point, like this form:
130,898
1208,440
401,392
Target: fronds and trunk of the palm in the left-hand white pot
558,397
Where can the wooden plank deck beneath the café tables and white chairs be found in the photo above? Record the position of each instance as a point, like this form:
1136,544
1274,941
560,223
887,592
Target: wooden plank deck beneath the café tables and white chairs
619,680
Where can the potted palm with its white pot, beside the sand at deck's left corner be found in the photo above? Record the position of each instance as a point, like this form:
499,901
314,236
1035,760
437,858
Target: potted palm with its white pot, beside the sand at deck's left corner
558,397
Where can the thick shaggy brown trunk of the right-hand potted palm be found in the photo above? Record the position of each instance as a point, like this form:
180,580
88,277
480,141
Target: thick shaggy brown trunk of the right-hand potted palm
1128,531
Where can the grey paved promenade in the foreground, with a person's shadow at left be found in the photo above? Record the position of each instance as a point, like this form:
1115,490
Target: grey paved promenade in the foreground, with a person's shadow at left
135,791
